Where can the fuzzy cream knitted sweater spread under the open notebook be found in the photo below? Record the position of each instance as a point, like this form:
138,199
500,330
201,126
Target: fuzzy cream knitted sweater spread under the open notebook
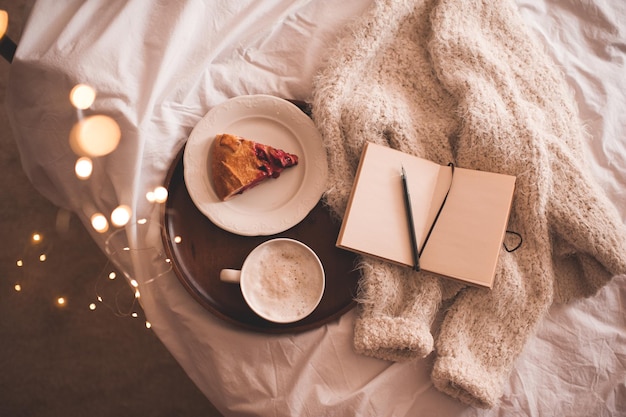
464,81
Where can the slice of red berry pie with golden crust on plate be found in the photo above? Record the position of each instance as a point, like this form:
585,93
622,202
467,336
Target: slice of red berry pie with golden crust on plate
238,164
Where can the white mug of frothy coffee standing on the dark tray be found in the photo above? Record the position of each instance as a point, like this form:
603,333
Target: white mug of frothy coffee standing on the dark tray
282,280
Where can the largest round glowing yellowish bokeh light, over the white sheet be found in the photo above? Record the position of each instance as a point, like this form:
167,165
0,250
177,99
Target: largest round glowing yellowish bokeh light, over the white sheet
96,135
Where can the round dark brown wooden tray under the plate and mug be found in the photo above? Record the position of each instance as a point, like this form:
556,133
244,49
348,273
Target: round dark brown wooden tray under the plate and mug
204,249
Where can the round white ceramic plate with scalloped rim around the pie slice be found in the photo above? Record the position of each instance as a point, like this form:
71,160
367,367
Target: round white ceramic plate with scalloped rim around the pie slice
276,204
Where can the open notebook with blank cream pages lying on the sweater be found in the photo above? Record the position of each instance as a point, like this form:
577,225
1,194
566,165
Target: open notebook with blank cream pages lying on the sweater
465,240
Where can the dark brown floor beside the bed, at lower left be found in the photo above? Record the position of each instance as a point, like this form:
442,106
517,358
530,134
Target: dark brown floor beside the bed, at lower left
71,360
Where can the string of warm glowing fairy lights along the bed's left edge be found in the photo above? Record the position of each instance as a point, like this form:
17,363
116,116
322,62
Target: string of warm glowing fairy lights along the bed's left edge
95,136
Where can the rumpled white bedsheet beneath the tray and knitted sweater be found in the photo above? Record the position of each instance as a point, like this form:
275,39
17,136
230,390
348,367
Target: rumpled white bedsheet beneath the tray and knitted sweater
158,67
